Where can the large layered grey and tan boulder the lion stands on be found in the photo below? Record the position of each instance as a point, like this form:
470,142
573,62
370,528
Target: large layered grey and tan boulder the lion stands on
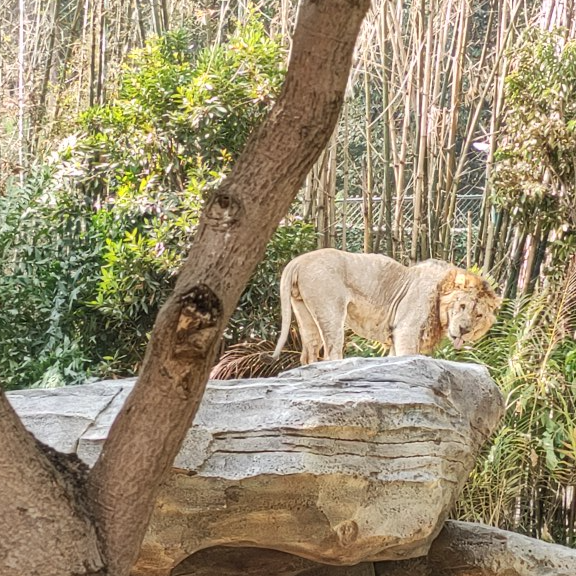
338,462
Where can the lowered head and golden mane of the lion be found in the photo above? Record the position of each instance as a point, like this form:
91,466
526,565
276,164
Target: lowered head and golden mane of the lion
467,307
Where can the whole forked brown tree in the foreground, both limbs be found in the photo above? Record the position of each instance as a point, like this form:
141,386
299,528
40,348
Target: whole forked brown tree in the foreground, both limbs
62,522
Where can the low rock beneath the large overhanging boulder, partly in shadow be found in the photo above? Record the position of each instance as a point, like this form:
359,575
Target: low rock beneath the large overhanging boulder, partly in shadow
462,549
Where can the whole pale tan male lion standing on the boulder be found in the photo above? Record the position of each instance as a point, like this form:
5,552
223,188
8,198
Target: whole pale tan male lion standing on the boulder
408,309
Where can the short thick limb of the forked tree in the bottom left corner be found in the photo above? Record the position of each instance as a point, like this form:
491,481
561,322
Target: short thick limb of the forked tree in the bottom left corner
44,520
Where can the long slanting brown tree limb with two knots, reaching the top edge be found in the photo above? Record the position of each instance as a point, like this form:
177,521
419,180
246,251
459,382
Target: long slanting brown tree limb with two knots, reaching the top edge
238,221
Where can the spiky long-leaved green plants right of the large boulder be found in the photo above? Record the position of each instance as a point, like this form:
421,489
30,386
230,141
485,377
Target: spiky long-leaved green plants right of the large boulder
524,473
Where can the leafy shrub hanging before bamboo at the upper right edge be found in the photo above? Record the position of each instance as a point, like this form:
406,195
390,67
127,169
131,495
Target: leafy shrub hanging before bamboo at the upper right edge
536,158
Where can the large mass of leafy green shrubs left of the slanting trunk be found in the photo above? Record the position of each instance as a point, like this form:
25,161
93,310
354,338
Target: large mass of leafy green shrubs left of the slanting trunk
91,245
